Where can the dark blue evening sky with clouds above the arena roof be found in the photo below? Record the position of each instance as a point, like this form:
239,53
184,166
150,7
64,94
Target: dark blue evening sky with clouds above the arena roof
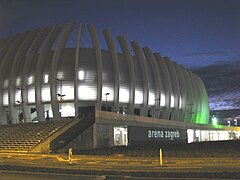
203,35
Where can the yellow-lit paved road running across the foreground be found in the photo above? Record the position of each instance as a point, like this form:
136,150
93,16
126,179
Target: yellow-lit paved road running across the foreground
101,167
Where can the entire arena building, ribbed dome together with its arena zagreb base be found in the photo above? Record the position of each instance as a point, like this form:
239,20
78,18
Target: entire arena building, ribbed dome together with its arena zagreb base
135,95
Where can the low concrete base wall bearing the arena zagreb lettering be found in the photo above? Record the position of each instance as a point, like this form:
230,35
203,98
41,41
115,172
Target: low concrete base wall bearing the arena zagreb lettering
101,133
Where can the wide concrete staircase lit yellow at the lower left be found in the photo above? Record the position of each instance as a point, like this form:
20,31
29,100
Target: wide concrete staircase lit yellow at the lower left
24,137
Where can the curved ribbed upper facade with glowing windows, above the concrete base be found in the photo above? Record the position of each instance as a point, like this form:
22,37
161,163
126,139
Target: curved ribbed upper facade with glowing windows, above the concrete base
42,78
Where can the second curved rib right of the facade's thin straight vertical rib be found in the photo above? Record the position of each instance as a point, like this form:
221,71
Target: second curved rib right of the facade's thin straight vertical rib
112,50
